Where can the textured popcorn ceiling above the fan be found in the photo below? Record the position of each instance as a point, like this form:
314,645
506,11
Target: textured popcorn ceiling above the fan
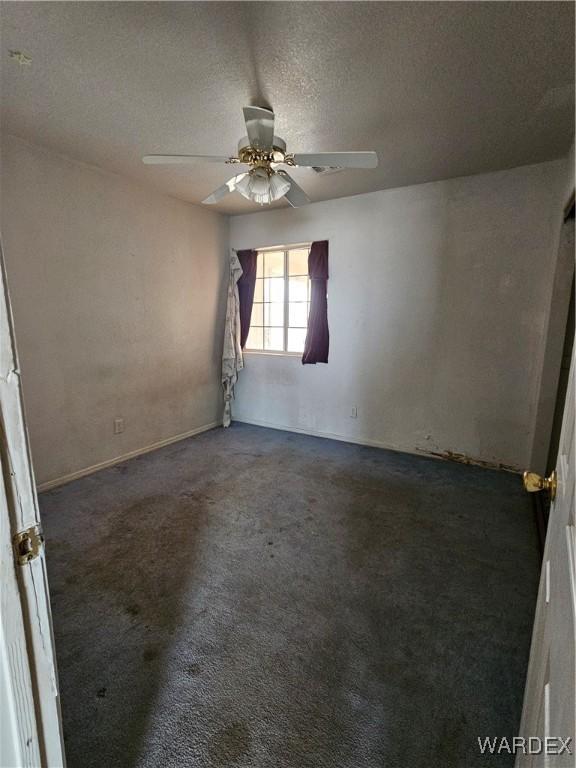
438,89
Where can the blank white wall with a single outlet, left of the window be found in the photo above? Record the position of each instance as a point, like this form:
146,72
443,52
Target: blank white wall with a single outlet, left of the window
117,298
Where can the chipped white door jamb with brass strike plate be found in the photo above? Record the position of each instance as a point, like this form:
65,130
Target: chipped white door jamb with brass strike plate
30,723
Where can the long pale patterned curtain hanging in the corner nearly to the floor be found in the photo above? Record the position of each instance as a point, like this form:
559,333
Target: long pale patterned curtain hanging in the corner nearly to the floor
232,360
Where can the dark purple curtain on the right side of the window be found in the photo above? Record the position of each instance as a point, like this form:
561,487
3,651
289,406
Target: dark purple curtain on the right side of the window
318,337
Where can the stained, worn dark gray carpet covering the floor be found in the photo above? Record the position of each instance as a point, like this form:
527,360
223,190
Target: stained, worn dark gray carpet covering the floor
258,598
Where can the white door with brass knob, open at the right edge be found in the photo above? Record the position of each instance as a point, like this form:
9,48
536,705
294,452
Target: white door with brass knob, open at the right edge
550,696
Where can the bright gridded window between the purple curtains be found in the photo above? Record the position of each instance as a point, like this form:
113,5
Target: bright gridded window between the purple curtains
281,301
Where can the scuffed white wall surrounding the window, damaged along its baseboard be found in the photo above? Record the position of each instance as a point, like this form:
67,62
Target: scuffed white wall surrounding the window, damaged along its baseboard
438,299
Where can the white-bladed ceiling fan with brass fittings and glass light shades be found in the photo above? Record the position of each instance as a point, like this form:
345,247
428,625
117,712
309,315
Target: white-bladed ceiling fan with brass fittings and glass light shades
264,182
